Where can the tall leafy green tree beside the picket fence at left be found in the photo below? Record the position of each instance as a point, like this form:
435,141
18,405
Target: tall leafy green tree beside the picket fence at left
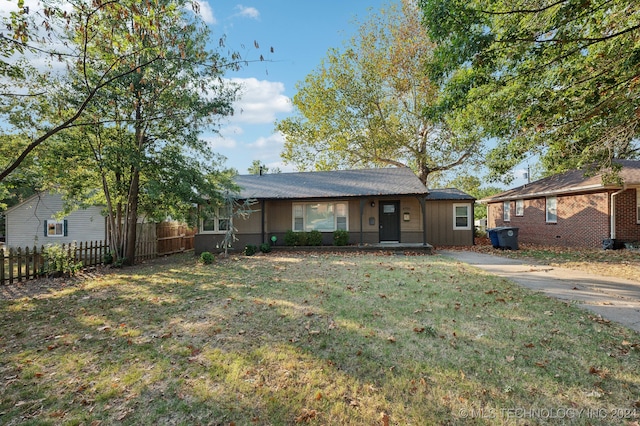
139,84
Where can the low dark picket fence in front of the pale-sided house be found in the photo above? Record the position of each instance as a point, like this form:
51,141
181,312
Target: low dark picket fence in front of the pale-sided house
18,265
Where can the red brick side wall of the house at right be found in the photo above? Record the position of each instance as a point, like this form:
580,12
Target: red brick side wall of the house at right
583,220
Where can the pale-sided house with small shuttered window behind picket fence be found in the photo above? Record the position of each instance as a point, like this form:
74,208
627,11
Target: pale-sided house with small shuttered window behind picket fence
33,223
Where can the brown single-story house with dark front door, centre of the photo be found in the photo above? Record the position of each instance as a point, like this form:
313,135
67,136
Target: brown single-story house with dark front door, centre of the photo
387,205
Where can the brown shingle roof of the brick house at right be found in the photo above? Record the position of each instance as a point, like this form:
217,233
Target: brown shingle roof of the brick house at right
572,181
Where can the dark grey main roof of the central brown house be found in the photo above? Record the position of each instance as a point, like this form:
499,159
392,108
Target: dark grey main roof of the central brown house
331,184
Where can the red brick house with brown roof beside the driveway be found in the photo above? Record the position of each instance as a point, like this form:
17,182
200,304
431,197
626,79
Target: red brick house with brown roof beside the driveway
570,209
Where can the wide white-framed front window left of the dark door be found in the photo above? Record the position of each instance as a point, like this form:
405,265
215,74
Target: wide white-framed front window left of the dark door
323,217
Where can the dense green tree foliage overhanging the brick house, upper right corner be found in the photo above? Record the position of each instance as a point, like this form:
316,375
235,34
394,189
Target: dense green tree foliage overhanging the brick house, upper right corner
554,78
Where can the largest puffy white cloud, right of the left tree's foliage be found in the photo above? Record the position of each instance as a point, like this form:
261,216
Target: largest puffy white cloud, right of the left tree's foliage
260,101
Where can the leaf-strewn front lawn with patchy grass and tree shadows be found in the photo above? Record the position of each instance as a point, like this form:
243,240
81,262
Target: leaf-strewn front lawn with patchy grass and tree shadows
314,339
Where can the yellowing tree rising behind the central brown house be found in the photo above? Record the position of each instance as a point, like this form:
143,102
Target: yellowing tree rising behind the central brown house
364,105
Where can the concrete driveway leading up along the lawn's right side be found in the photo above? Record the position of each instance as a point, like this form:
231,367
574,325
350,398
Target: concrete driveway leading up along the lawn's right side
615,299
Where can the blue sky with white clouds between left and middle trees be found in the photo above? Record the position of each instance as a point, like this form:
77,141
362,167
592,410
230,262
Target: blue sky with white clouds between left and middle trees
300,32
